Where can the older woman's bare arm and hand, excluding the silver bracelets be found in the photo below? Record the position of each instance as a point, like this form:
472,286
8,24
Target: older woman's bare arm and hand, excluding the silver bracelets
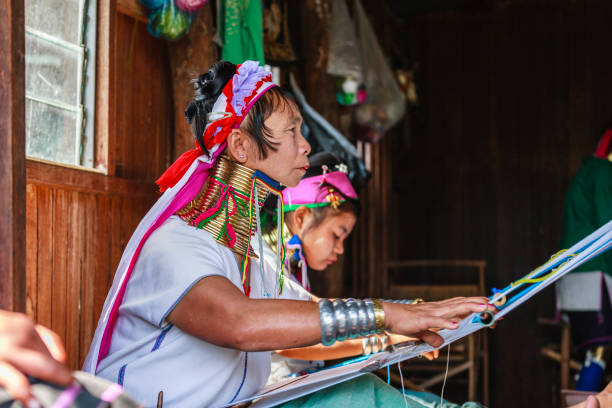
215,311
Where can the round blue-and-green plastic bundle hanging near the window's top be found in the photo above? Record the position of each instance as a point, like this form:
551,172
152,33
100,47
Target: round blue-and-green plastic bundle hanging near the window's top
169,22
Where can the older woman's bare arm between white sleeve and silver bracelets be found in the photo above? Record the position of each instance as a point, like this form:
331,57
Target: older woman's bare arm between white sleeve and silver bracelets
215,310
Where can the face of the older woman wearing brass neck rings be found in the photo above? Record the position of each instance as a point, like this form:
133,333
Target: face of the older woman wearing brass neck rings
288,163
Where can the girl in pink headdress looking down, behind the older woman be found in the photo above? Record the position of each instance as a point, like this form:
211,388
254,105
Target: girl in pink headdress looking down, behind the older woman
320,213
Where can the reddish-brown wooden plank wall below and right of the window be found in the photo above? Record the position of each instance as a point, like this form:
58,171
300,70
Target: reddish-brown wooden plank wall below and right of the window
78,222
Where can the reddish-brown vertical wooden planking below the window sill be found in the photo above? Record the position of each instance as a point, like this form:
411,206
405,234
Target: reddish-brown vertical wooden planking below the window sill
76,244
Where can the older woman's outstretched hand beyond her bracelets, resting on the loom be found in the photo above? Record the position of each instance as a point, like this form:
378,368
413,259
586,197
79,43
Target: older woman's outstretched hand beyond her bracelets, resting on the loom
417,319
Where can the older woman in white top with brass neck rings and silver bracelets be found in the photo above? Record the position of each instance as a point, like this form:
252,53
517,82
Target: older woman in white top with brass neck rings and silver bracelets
190,313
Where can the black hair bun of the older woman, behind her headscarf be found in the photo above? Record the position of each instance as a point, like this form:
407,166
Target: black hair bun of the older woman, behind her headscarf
207,87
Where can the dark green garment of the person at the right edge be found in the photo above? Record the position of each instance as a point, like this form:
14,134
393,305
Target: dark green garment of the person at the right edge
588,205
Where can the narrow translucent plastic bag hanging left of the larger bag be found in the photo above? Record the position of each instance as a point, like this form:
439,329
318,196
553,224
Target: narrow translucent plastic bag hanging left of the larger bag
344,58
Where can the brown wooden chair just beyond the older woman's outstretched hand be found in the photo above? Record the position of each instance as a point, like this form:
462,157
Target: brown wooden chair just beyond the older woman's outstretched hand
467,355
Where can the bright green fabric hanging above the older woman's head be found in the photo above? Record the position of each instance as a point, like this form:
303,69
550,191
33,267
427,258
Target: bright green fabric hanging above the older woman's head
241,30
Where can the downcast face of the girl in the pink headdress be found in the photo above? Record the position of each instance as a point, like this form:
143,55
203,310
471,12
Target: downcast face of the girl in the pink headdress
322,244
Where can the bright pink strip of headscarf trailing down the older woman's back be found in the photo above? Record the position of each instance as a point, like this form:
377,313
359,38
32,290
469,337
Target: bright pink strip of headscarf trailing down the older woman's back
182,198
